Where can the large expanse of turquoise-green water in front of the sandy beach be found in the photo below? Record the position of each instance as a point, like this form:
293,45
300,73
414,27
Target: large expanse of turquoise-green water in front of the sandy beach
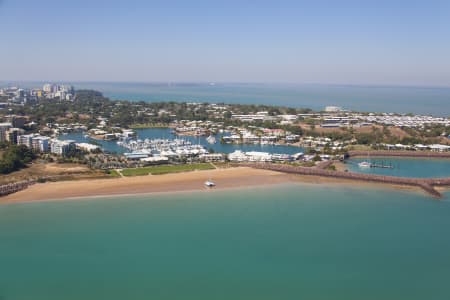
283,242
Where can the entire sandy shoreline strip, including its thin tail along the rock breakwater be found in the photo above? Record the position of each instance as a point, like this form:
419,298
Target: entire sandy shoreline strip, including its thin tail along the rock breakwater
230,178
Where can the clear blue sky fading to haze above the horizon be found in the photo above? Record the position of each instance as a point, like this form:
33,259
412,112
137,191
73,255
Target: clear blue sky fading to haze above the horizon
396,42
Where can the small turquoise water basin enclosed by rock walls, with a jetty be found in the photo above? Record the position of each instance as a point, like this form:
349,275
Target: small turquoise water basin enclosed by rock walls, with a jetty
404,167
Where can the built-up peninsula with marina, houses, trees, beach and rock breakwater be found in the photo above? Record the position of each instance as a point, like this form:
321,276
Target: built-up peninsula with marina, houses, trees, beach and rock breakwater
108,144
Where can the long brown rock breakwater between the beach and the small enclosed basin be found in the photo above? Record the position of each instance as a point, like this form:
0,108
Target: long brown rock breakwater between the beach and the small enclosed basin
427,184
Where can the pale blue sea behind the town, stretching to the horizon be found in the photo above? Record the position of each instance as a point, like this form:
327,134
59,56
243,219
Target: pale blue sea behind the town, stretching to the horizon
417,100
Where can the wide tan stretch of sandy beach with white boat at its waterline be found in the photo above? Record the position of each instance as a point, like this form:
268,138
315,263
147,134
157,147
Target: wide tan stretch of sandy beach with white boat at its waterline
188,181
